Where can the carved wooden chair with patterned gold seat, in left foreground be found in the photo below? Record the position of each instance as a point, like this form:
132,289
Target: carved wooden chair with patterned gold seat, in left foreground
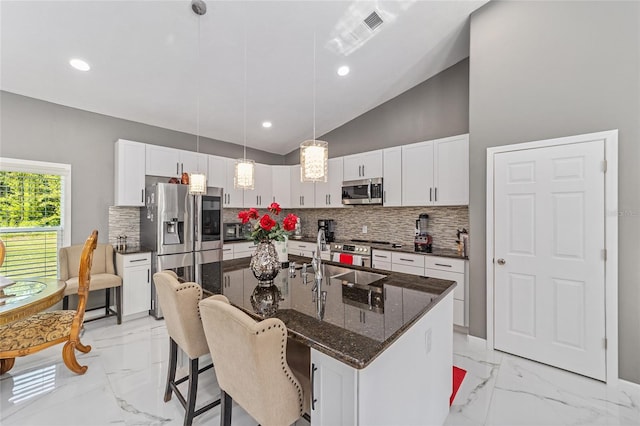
45,329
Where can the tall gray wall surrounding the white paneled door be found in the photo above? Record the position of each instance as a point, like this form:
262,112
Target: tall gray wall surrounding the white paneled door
549,69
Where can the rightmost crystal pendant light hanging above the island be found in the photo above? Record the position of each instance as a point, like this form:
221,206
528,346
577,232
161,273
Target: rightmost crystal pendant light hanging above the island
314,154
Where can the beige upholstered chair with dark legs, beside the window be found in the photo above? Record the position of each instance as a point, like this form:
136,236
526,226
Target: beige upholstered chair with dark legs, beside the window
103,277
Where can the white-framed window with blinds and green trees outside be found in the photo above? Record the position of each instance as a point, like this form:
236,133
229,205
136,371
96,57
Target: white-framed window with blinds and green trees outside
34,216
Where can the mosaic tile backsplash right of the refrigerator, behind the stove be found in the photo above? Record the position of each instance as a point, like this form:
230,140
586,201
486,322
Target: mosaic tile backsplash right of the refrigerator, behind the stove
393,224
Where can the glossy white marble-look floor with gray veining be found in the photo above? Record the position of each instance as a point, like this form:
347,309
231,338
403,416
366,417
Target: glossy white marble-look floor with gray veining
127,371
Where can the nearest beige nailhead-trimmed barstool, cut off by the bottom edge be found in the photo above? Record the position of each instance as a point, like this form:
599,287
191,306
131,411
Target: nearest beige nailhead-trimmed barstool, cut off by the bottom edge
251,364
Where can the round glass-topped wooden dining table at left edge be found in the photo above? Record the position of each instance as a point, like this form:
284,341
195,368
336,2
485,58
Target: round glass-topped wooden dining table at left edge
27,296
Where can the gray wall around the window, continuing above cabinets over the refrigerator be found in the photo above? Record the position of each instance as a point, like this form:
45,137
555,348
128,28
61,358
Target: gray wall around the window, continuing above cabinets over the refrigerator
36,130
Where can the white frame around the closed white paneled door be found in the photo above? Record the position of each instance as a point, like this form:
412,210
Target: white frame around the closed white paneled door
610,138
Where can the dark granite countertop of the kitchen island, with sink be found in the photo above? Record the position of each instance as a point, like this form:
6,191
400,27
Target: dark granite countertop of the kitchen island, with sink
390,306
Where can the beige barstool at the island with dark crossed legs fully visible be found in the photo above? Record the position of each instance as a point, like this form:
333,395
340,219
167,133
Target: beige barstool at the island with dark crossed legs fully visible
179,303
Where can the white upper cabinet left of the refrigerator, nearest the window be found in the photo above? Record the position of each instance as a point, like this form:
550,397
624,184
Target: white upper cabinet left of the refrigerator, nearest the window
129,173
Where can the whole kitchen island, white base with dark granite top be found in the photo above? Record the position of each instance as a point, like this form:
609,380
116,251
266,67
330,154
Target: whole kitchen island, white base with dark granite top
382,352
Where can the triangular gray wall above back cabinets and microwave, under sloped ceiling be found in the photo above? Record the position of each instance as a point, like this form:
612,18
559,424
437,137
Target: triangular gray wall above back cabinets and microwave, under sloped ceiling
436,108
